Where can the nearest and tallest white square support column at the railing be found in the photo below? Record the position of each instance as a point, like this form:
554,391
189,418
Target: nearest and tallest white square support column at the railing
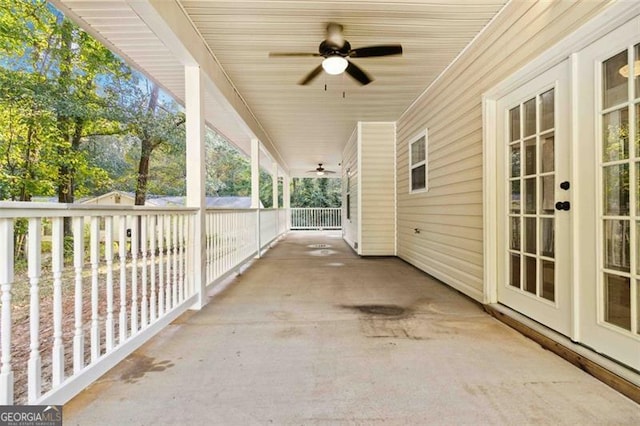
194,108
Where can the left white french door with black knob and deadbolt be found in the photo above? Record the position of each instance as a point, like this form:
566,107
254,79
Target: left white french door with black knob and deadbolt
534,219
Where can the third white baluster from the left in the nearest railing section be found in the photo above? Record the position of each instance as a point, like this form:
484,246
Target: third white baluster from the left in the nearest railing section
57,262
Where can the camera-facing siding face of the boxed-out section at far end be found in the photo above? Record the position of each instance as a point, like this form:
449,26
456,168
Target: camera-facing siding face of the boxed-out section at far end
377,188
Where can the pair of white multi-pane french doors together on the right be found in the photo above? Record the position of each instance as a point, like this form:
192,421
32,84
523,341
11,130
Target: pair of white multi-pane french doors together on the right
568,190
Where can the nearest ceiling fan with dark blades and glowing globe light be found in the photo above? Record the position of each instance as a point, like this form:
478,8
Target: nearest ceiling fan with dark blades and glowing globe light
337,53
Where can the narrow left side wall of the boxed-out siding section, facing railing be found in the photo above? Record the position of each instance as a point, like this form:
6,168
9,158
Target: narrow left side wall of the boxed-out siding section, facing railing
350,164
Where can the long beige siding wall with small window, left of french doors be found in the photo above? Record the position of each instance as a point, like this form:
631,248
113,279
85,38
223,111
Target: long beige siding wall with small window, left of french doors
449,216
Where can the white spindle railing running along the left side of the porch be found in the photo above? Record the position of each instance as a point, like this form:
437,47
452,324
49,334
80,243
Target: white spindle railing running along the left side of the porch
75,303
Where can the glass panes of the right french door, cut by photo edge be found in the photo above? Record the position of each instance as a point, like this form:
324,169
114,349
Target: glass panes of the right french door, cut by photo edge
620,189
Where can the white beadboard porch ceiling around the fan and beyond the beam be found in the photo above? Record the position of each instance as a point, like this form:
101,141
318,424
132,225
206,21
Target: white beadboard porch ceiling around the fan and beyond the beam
305,124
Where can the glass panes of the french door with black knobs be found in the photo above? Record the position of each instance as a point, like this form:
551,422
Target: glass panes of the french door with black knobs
532,196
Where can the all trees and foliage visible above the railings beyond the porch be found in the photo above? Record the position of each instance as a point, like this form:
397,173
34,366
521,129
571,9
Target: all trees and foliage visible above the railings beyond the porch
76,120
